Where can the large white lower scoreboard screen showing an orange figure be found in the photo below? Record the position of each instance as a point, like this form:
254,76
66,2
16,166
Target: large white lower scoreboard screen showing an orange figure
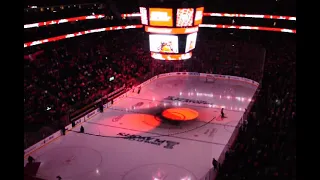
163,43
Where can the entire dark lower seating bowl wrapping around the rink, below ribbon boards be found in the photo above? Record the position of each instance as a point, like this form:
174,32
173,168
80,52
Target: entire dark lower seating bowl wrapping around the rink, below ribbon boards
69,74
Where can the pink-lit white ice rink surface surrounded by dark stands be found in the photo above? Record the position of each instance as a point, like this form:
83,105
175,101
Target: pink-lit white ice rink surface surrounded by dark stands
131,141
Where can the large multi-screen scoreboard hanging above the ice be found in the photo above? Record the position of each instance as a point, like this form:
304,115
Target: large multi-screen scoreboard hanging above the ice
172,32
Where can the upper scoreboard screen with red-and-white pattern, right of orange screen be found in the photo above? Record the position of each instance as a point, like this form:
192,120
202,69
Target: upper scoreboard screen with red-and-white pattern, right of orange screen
184,17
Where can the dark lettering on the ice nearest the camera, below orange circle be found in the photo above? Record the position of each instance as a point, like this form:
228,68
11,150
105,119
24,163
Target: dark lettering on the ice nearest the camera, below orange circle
151,140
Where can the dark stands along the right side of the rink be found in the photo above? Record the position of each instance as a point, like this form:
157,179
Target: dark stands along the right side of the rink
266,145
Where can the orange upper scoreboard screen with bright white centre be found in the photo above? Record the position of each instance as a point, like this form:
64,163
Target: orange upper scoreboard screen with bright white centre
160,17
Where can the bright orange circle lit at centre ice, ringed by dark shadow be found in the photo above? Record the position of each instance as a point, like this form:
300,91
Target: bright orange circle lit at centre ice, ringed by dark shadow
180,114
